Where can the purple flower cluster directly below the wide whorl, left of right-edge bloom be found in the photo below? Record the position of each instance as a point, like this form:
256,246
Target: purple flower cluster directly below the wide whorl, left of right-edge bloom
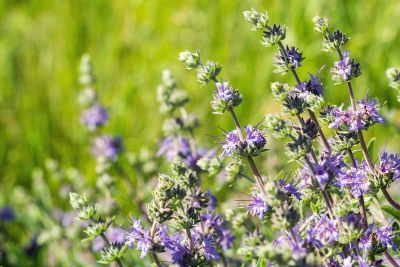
355,179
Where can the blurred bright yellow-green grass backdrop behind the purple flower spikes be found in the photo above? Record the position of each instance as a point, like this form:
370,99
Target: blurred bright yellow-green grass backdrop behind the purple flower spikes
131,42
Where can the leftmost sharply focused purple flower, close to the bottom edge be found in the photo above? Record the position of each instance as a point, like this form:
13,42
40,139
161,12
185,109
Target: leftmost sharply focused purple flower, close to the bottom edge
139,236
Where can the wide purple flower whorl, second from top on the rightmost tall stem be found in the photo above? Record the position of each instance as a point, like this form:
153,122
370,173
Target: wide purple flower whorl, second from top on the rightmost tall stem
365,116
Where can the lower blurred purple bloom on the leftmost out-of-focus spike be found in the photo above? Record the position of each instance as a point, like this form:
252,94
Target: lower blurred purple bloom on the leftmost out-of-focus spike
106,147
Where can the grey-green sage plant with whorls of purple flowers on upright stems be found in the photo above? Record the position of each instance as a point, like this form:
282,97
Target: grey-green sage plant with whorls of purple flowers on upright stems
325,213
